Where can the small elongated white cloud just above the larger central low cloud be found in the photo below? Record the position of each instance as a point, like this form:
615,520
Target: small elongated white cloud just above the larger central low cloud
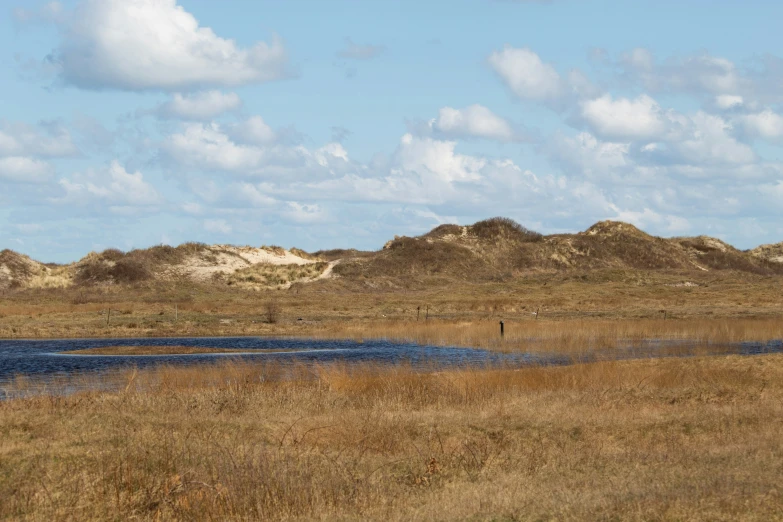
475,121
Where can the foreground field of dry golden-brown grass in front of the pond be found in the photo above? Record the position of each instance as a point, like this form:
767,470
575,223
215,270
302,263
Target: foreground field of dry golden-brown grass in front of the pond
669,439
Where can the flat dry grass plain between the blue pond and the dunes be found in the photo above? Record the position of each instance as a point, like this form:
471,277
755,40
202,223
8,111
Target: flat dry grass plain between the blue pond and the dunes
565,298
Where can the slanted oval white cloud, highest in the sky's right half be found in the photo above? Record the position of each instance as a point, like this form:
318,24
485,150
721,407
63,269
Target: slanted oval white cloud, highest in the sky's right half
525,74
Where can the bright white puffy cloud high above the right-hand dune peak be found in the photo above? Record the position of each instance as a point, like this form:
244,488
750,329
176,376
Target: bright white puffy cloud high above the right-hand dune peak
625,119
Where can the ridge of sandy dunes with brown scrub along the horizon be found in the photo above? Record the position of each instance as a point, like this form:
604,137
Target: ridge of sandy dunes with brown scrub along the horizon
496,249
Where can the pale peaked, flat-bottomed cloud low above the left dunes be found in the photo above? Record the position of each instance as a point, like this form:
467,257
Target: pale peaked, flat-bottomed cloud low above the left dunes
114,186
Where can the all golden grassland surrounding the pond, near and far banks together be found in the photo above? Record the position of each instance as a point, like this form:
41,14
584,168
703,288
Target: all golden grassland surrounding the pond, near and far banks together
678,438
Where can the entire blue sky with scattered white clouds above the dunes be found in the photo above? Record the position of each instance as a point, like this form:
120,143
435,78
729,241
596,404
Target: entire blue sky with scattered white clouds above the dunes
341,123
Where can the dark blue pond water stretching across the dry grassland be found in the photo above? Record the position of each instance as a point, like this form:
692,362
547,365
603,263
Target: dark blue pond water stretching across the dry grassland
45,362
